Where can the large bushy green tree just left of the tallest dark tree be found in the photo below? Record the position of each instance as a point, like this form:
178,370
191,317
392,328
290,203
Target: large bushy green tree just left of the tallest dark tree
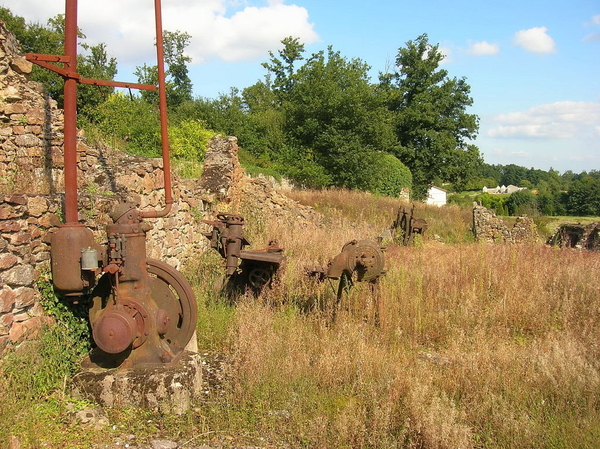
332,116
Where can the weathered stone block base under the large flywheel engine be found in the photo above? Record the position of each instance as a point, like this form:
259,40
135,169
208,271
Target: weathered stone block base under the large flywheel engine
168,389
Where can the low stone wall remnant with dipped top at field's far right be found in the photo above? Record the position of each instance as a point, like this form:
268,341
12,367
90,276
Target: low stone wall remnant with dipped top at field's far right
488,228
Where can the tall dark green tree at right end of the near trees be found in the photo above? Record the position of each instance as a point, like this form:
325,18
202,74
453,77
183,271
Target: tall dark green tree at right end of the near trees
430,118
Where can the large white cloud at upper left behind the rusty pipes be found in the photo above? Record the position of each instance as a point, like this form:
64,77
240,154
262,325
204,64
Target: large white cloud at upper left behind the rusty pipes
220,29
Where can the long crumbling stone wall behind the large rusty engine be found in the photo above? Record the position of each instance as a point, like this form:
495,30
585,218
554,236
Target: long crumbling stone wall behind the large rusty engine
32,194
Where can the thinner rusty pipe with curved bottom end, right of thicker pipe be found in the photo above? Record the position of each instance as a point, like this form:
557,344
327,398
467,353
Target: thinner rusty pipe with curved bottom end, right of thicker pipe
162,105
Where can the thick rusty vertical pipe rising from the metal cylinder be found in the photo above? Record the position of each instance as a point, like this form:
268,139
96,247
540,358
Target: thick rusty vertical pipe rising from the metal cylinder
70,113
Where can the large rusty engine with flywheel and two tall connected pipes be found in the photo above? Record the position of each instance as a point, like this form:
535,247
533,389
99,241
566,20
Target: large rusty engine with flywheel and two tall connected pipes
142,311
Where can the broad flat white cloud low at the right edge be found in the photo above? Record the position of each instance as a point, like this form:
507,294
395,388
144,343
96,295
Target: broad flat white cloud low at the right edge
560,120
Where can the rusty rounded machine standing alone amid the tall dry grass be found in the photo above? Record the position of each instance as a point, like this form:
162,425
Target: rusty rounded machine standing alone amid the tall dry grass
359,261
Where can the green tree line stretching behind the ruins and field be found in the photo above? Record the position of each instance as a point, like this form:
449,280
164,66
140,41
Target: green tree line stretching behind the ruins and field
317,119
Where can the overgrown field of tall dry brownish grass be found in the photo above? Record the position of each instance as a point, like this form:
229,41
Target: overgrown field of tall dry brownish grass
475,346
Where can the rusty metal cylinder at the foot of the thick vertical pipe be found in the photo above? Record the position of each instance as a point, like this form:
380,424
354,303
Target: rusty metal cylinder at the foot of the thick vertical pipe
65,252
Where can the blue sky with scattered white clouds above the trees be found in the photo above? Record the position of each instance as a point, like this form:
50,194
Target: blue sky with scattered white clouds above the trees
533,66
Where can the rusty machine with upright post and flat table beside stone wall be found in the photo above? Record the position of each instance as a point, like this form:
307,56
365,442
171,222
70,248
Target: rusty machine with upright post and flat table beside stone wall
246,270
